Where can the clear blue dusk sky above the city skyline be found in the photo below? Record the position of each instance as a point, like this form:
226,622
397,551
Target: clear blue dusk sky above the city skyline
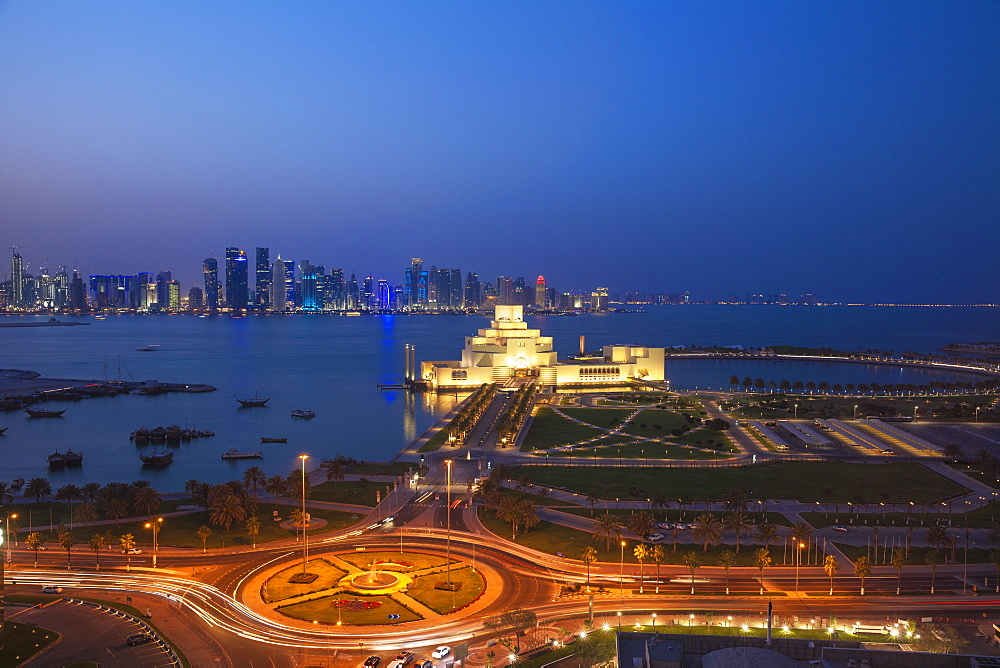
847,149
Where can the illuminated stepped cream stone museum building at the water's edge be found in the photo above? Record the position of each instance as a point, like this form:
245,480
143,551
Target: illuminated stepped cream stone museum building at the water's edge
507,348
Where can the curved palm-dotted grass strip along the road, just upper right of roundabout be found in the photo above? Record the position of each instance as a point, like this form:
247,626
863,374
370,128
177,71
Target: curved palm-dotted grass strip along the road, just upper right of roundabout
555,539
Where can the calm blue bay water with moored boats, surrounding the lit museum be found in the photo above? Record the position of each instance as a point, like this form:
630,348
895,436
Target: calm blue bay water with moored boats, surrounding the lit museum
332,365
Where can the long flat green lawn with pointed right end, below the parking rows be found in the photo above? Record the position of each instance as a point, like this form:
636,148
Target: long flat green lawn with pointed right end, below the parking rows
805,481
